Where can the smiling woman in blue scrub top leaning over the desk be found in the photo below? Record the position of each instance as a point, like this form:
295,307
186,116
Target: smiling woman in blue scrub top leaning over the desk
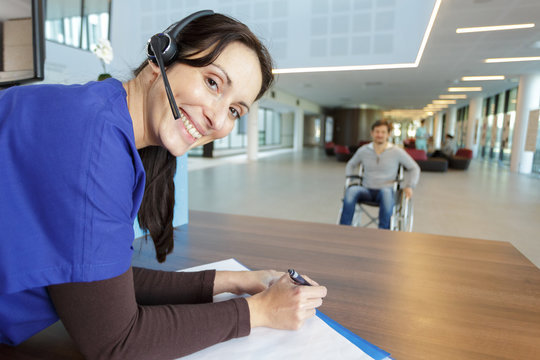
76,161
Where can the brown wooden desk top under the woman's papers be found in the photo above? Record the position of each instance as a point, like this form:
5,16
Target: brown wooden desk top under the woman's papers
417,296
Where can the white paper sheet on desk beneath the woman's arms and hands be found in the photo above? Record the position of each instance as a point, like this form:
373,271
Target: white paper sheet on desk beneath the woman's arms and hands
315,340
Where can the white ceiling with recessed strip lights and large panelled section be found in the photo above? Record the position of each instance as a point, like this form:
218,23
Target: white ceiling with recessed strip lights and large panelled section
308,33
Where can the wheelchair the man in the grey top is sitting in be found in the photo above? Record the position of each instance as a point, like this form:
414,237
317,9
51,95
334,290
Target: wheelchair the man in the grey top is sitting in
402,213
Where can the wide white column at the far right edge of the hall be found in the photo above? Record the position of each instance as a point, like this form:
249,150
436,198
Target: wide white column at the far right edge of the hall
528,99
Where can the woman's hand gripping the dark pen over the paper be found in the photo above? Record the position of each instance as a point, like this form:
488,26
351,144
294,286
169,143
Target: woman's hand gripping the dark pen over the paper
285,305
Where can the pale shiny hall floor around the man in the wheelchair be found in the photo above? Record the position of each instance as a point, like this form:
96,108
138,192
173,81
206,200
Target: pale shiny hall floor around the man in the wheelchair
486,201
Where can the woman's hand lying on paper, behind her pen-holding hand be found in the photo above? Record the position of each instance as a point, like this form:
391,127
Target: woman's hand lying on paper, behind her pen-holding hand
244,282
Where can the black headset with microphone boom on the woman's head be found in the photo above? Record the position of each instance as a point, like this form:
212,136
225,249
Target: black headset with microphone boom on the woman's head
162,49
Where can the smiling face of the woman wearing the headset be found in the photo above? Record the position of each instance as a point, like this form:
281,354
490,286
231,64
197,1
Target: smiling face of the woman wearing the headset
210,99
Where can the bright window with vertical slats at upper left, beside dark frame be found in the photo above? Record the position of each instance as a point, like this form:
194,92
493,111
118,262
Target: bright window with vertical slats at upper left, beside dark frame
78,23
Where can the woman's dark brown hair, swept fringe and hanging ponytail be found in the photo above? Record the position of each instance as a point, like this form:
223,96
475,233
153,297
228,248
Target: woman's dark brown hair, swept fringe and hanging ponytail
213,32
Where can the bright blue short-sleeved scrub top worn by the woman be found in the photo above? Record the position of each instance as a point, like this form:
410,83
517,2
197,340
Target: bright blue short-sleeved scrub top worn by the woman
71,185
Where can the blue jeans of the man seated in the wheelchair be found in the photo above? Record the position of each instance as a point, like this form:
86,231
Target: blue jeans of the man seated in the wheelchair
384,197
